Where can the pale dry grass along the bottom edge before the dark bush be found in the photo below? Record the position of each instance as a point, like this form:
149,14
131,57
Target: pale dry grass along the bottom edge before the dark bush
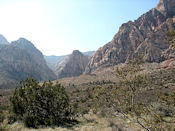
89,122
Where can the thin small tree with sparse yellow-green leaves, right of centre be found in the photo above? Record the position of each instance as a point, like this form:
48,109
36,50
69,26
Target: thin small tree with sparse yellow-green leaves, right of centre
131,79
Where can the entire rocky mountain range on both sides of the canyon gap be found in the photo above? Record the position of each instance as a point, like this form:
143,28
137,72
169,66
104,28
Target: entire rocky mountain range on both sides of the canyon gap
147,35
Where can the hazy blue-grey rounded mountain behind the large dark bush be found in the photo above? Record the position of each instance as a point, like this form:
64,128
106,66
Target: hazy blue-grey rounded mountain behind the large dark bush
20,60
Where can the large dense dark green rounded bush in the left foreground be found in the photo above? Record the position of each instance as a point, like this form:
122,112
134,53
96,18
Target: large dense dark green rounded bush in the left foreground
40,104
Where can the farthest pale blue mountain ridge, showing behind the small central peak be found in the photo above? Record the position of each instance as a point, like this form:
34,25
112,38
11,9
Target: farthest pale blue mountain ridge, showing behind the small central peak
54,61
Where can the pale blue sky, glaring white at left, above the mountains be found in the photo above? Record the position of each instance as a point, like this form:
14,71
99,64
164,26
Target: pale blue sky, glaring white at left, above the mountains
57,27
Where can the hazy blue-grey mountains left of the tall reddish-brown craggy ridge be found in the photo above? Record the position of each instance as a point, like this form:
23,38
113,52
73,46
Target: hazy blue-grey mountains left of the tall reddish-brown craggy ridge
20,59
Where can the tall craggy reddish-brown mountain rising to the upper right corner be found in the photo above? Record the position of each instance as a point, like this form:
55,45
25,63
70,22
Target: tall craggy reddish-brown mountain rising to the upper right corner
147,35
